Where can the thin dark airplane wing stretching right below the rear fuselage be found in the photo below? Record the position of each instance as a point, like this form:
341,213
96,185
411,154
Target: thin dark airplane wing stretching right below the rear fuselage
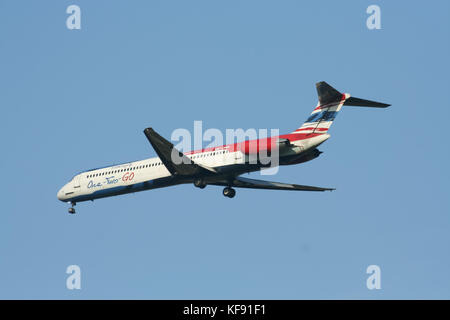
240,182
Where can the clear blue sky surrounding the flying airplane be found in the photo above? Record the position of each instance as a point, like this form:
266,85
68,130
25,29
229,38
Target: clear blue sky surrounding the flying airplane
77,99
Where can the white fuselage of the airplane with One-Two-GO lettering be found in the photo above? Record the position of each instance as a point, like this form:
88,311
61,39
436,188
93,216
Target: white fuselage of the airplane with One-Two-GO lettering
151,173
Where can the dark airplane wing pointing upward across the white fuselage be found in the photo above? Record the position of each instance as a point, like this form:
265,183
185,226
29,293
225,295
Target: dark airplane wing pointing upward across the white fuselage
175,161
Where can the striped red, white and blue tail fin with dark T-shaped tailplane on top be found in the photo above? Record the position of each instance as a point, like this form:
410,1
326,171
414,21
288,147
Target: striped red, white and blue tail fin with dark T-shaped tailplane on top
330,103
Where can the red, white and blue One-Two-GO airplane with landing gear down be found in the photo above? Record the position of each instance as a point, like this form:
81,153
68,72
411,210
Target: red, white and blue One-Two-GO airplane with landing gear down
218,166
